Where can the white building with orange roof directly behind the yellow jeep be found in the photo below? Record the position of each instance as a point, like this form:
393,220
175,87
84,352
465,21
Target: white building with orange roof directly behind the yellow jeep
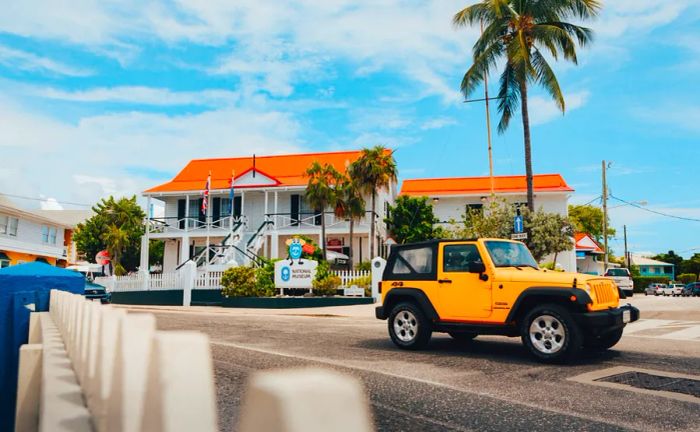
451,197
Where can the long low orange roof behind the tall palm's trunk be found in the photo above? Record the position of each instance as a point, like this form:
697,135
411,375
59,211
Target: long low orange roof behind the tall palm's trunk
482,185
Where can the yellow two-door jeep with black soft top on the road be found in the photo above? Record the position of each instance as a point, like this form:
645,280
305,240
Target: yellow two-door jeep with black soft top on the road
494,287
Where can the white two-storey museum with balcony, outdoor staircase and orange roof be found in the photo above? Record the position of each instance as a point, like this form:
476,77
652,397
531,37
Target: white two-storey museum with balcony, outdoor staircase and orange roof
268,208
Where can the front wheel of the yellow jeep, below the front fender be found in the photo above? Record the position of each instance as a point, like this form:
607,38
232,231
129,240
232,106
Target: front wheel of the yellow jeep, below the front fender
550,333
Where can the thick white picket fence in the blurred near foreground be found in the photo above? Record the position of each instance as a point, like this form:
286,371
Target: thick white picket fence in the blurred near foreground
91,367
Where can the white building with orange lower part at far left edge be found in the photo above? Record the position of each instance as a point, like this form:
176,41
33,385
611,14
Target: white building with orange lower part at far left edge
26,236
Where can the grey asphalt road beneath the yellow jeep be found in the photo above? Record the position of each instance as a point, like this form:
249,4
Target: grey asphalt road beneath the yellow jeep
490,384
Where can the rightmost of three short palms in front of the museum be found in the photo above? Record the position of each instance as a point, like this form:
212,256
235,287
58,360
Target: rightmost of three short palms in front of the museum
374,170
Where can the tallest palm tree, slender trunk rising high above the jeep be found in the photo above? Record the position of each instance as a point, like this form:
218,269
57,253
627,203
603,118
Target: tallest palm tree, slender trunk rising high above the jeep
520,31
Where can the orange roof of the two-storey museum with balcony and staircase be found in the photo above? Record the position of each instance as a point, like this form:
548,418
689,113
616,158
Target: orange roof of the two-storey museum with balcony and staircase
284,170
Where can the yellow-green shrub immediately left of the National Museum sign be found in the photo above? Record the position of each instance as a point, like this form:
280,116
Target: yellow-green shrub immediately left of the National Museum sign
247,282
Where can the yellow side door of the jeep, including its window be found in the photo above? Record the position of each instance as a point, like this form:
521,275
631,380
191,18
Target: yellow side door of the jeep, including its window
463,295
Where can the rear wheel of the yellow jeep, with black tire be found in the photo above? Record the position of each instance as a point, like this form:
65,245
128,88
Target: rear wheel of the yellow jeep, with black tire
408,327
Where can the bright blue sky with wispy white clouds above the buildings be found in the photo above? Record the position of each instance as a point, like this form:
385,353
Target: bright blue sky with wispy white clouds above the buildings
110,98
